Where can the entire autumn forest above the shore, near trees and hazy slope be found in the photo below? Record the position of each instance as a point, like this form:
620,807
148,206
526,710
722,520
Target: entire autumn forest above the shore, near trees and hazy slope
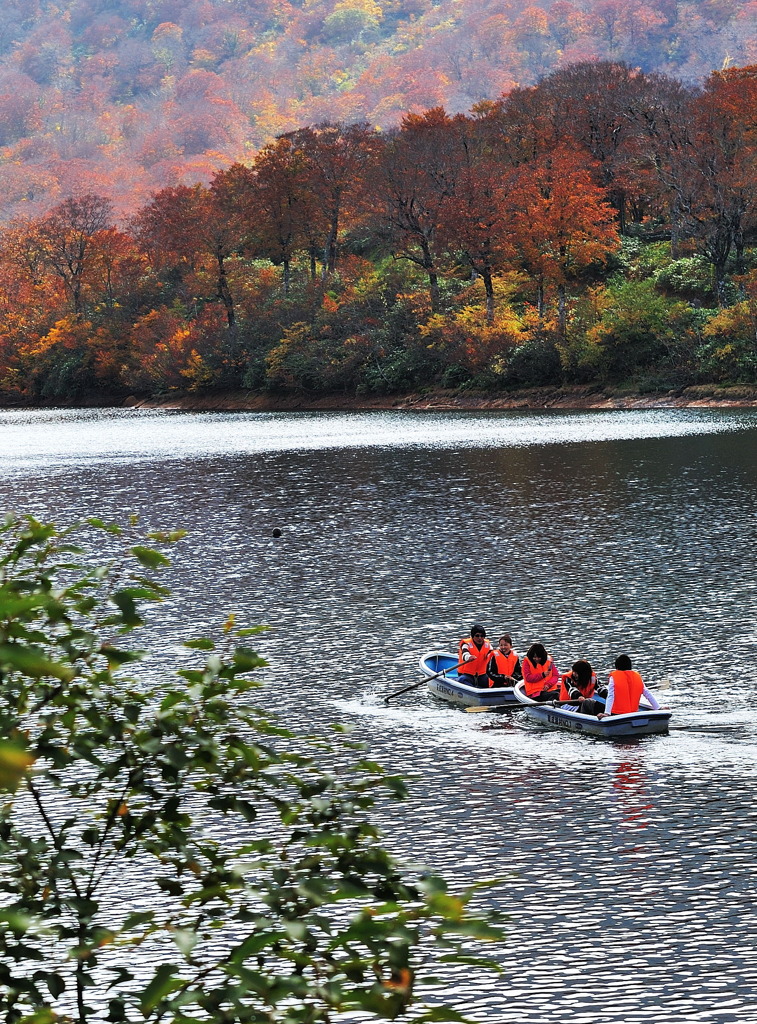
569,223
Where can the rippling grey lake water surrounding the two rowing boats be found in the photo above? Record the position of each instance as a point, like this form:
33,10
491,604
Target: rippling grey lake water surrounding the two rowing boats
630,870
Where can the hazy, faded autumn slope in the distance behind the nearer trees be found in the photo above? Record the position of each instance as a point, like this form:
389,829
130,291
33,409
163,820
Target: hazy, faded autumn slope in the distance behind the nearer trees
124,98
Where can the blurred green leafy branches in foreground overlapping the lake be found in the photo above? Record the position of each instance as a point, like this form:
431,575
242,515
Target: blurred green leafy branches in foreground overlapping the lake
306,917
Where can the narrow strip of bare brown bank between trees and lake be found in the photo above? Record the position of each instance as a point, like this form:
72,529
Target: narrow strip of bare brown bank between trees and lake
698,397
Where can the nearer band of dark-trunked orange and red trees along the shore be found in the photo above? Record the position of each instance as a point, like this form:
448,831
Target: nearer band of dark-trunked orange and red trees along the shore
601,227
